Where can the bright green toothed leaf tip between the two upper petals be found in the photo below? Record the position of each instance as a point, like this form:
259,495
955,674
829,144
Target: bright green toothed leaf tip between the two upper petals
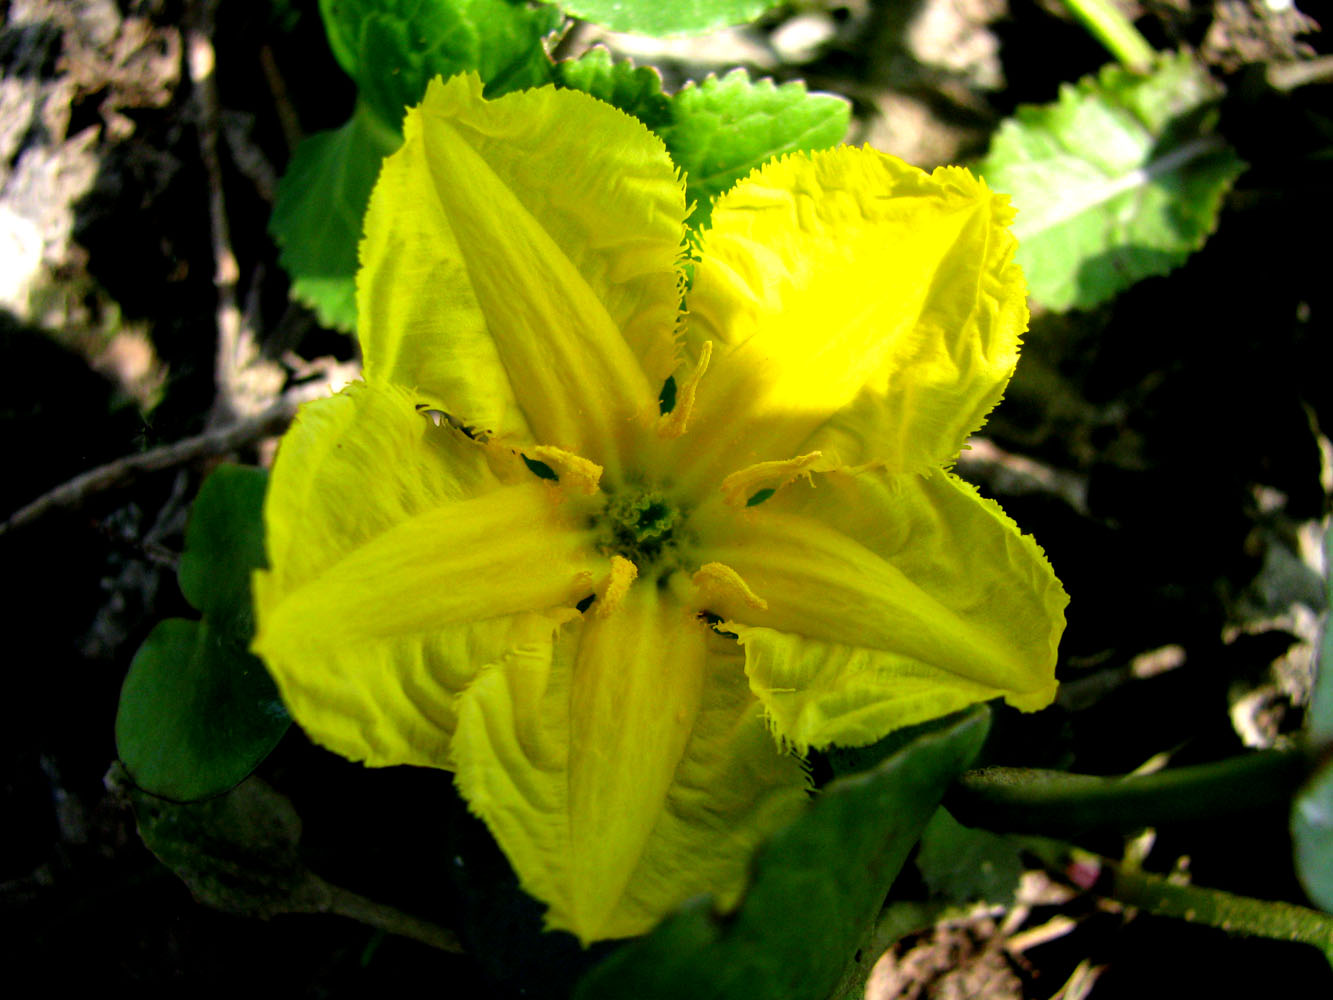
722,130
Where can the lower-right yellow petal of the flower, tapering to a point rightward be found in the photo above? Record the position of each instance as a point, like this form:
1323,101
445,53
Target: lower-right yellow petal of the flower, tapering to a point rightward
891,601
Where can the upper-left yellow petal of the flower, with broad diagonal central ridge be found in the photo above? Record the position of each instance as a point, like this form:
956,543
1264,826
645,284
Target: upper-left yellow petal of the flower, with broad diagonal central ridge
519,263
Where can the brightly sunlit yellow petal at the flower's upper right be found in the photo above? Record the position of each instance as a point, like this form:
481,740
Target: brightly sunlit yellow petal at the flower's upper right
859,307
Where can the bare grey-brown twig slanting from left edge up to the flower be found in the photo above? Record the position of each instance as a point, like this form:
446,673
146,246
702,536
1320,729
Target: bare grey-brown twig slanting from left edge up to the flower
221,441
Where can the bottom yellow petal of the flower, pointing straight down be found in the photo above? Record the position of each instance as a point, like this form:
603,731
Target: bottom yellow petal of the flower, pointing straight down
627,773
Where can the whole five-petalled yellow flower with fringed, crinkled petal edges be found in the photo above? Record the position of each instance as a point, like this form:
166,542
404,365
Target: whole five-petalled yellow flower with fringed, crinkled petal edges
613,565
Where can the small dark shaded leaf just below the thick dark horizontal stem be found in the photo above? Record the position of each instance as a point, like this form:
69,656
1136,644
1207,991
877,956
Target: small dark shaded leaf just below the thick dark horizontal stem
964,866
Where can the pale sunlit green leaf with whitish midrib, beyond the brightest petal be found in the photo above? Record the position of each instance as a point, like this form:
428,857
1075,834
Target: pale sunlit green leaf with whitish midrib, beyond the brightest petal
1119,181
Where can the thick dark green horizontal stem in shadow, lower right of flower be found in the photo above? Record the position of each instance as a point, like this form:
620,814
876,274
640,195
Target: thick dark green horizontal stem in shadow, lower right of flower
1054,803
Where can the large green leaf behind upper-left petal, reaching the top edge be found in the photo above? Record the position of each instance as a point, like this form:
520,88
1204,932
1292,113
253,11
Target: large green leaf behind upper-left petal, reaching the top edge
391,49
